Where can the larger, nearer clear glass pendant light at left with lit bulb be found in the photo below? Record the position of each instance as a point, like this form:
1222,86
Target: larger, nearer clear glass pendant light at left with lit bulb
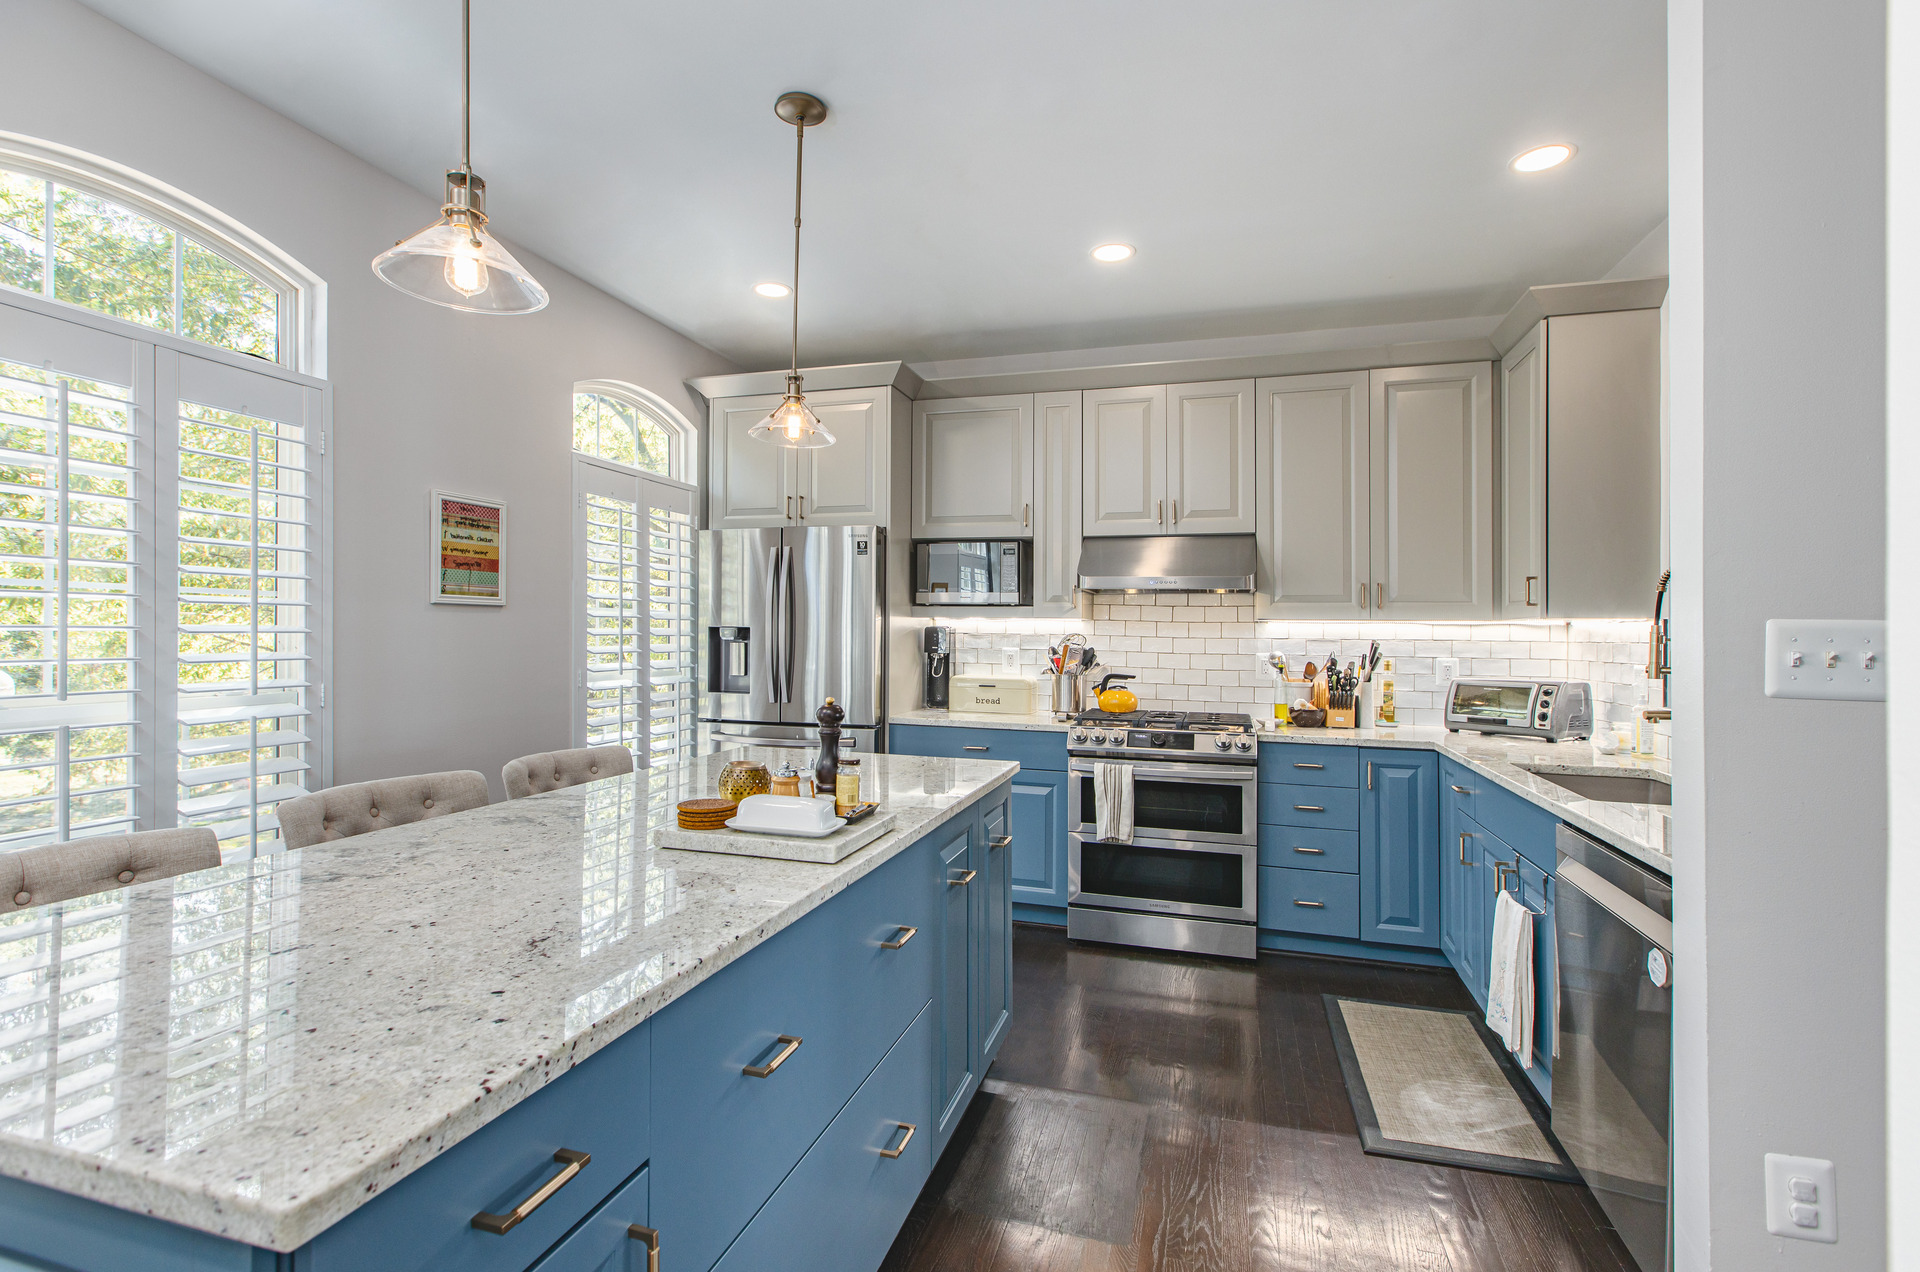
454,262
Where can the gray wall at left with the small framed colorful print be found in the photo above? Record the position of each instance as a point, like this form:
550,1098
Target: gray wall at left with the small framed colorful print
423,397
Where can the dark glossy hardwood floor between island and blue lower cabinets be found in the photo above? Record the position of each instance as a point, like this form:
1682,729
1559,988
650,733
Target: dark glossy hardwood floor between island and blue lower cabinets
1170,1113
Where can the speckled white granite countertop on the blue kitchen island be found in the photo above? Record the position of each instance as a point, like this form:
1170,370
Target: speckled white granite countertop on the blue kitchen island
270,1044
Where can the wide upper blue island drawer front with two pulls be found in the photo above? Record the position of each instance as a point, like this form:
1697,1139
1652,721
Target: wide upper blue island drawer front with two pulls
729,1138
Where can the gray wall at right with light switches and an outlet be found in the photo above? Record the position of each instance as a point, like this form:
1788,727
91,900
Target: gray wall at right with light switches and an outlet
1779,510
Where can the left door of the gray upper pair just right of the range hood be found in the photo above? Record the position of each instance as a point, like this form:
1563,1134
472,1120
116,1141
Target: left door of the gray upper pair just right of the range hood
1314,497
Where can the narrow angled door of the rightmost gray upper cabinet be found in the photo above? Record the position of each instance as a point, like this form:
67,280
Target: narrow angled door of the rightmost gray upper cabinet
1524,477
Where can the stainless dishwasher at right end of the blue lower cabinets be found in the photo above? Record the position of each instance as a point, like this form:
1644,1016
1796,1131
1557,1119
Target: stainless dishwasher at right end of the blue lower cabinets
1614,1052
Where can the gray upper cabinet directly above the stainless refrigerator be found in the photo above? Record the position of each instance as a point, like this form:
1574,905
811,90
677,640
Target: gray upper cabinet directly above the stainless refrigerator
757,485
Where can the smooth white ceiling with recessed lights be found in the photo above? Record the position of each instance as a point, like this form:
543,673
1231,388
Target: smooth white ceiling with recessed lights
1280,164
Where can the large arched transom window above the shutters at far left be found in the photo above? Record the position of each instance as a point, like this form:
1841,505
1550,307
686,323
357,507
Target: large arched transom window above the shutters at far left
82,232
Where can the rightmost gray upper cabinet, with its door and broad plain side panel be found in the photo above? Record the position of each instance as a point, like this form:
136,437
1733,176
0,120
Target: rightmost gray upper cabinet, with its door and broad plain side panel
1593,451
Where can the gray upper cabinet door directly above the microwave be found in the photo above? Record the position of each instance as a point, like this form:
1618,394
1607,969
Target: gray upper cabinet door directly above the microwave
974,468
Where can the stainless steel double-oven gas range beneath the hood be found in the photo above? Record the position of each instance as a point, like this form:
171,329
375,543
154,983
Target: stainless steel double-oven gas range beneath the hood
1188,877
